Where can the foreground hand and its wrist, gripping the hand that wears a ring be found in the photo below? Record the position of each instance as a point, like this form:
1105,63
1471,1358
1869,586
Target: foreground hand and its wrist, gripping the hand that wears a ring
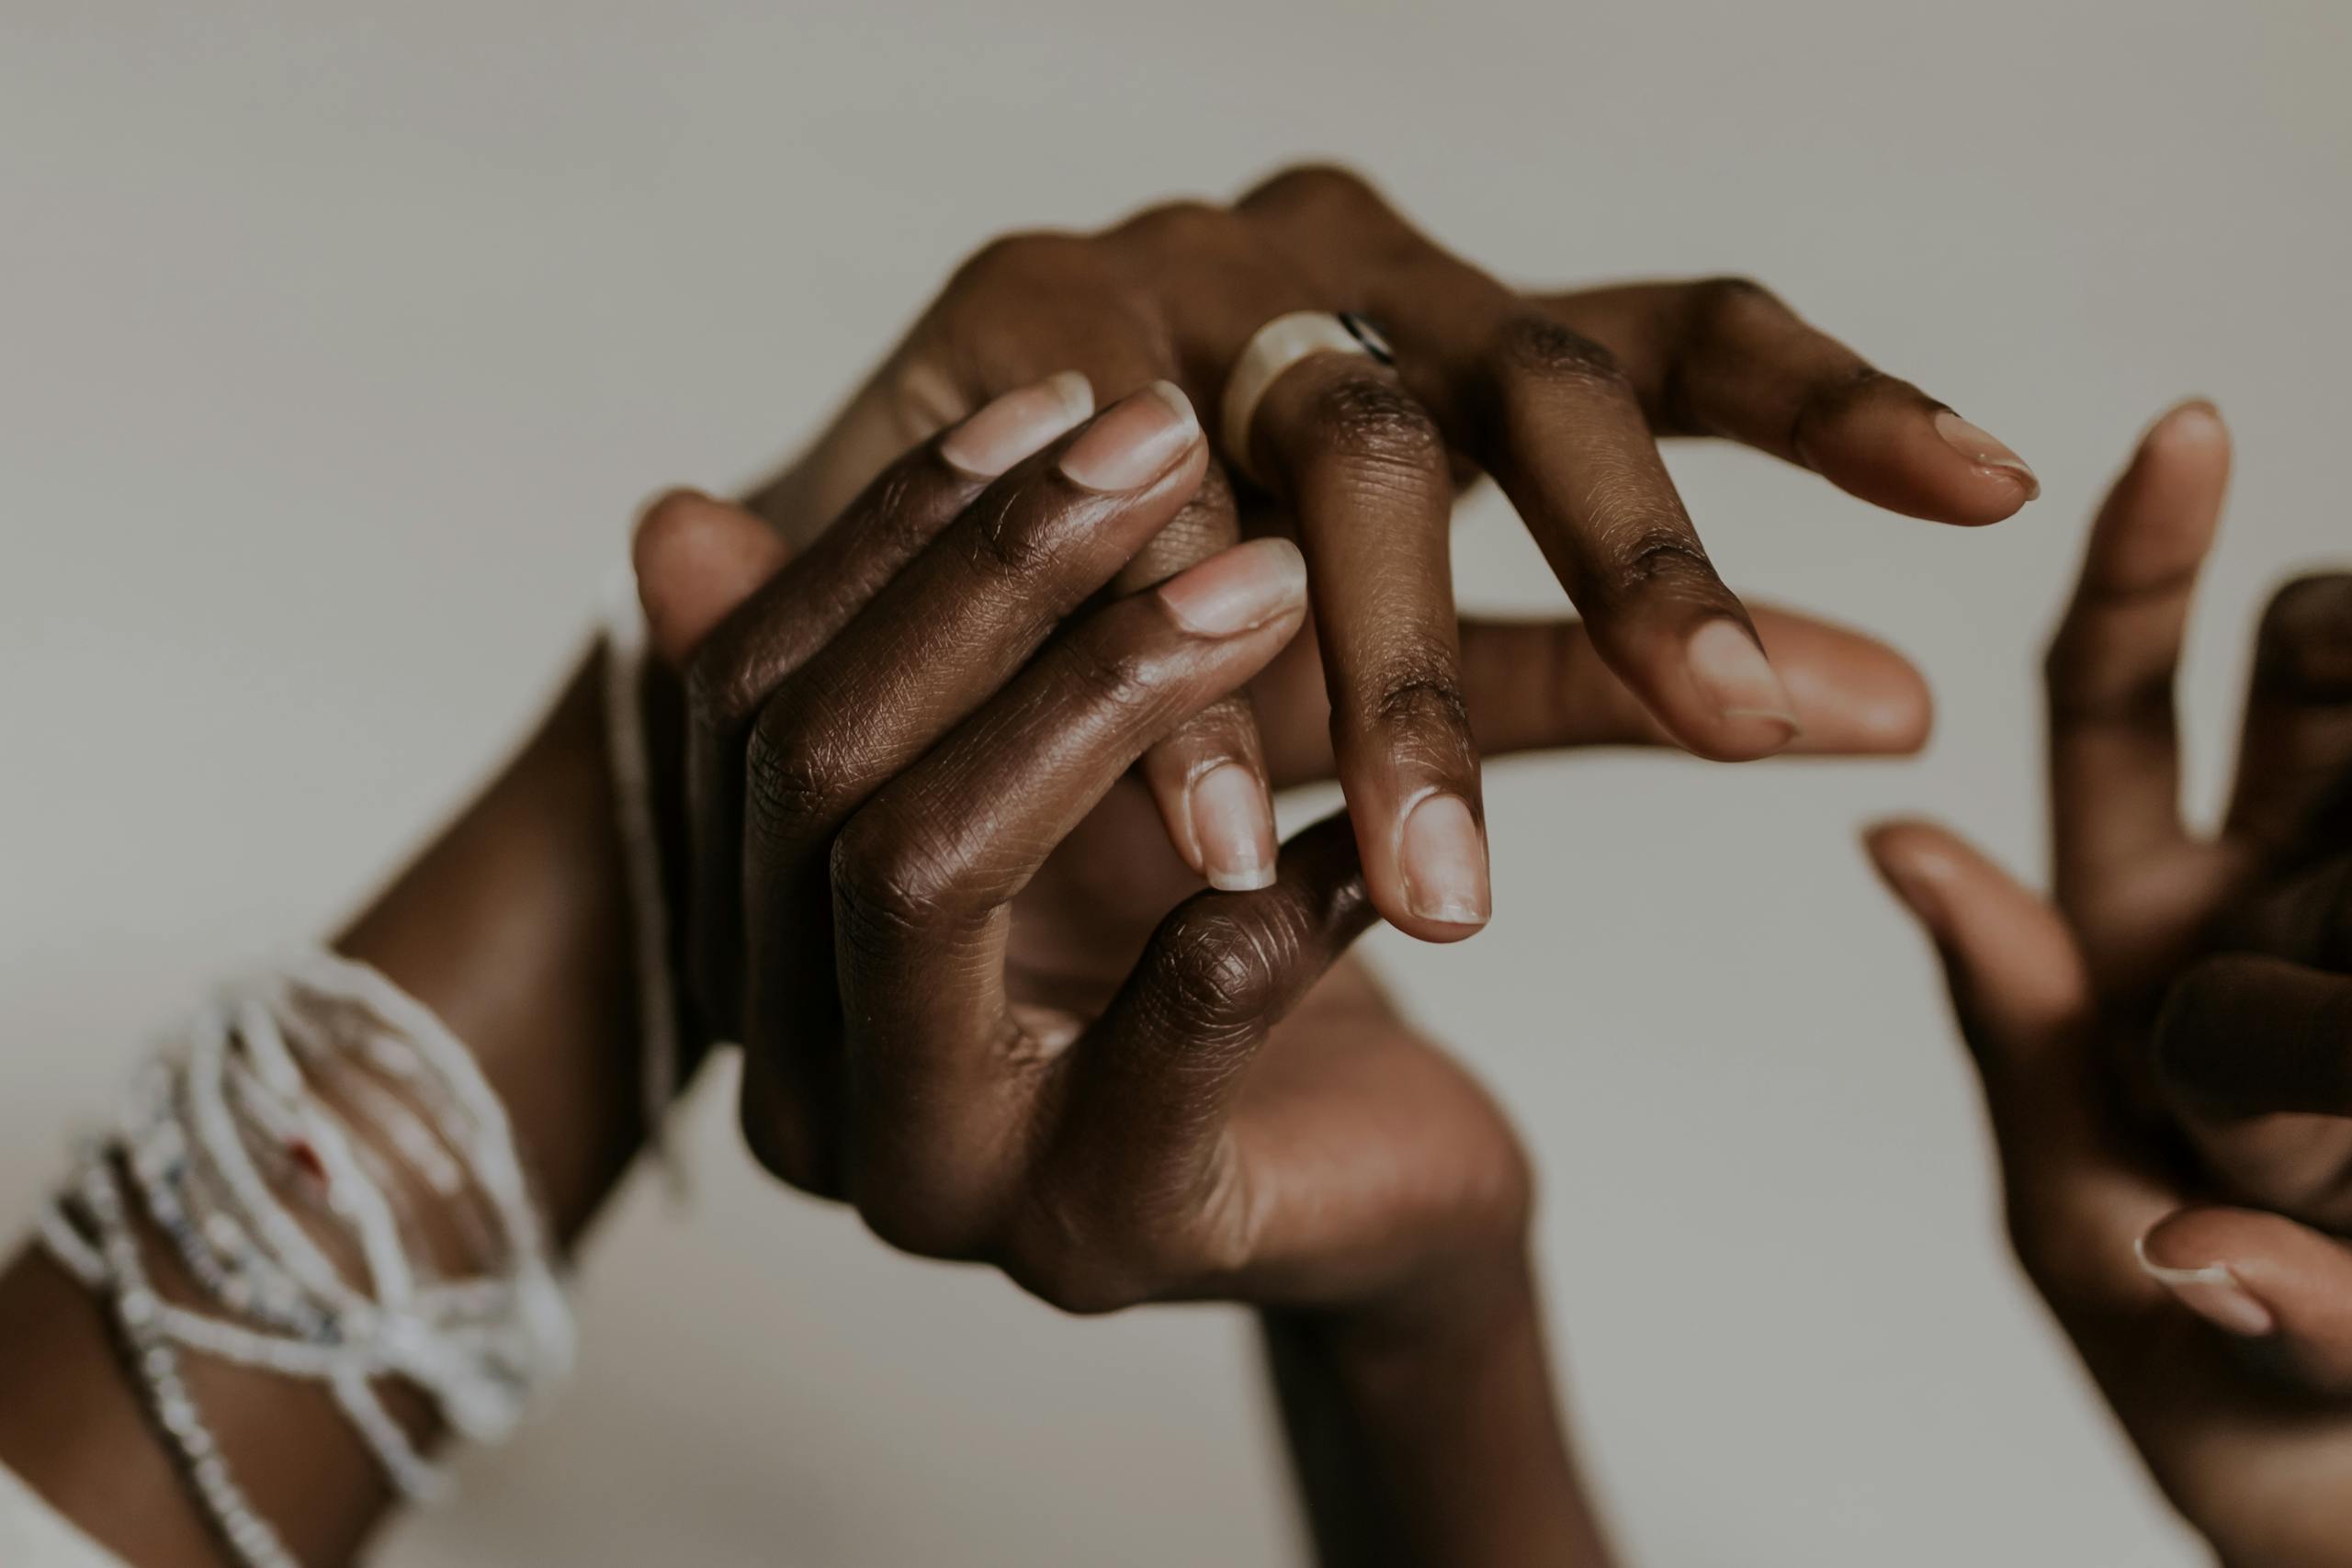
987,1003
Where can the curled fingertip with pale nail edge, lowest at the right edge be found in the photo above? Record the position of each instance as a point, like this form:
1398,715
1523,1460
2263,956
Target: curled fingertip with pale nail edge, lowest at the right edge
2261,1280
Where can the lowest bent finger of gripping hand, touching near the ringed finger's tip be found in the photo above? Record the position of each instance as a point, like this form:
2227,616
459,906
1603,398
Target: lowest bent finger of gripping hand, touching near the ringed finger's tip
1142,1148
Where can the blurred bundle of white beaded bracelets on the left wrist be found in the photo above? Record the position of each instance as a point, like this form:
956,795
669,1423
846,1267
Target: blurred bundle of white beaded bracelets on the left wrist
319,1085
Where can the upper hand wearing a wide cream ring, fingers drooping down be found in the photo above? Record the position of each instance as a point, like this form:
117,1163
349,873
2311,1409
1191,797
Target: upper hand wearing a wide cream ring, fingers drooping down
1561,398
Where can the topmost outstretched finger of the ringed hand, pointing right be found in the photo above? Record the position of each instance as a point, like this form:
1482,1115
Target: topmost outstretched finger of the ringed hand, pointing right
1728,359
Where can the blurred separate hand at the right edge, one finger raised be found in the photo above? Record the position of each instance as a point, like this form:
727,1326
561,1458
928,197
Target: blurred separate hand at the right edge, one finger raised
2167,1054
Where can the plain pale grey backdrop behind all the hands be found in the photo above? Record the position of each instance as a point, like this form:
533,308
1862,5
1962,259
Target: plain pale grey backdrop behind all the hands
338,344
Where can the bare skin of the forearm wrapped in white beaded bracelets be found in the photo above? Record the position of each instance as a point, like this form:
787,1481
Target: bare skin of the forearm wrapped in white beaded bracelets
512,925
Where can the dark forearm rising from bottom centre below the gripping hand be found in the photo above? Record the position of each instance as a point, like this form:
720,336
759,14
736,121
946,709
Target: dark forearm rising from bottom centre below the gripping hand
1434,1435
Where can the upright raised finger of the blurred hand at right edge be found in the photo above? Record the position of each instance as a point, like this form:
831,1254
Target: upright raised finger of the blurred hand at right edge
2116,763
